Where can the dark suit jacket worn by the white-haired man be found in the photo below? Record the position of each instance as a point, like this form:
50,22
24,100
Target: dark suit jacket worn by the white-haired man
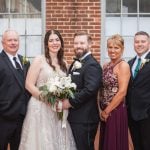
13,96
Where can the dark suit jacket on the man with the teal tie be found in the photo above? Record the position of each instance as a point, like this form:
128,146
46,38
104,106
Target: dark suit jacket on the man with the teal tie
138,95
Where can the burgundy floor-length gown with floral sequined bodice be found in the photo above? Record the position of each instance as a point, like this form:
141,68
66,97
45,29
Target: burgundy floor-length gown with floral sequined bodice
114,132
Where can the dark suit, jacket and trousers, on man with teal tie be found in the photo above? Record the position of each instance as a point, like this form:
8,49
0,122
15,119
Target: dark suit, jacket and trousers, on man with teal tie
138,103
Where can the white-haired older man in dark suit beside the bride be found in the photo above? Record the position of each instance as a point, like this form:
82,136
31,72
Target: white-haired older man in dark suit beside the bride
13,96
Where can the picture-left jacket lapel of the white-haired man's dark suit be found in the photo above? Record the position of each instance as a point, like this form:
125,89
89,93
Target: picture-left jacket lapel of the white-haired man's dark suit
10,65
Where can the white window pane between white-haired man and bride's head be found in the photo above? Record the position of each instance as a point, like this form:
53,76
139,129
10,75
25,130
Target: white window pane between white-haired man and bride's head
34,47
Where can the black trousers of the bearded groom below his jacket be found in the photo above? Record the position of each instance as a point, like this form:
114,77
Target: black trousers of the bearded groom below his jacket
84,135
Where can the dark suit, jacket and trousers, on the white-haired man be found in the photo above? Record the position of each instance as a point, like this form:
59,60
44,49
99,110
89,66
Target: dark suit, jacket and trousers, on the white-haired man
13,100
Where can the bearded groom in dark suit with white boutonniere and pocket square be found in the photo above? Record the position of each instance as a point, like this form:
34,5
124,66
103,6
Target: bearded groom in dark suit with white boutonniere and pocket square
86,73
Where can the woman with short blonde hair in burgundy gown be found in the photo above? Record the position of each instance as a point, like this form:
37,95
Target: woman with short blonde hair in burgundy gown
116,74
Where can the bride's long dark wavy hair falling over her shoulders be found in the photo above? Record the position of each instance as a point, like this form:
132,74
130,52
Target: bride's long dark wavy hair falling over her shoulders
60,54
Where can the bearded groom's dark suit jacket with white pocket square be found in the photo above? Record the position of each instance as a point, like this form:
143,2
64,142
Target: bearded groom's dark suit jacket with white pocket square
88,81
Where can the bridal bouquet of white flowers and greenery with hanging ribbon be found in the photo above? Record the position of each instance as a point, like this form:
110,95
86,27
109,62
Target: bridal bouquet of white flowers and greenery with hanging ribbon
56,89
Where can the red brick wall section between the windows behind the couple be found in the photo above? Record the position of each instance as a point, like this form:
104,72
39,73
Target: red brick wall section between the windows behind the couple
69,16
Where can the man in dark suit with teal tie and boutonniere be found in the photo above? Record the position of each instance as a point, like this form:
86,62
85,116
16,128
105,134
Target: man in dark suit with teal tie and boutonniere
138,96
